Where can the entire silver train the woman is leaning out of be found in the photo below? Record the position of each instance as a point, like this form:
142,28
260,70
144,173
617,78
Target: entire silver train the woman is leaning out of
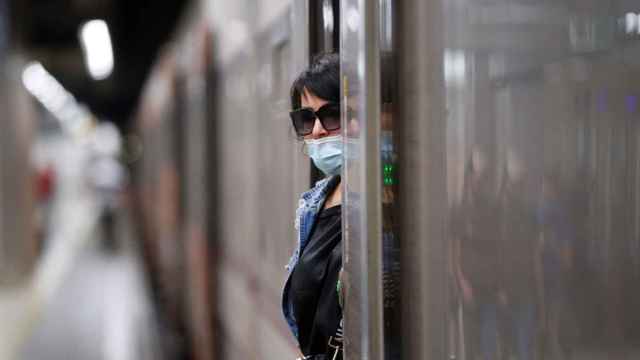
491,188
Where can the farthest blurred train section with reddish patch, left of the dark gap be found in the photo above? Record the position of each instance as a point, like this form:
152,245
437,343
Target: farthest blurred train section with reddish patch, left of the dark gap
159,180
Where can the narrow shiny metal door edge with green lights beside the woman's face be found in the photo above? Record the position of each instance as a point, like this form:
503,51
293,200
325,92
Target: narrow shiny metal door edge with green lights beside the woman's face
371,239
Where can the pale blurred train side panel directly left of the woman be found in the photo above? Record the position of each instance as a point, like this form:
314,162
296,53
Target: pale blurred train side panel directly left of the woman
260,172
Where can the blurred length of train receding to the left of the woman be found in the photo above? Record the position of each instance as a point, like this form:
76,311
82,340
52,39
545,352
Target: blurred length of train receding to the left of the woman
216,244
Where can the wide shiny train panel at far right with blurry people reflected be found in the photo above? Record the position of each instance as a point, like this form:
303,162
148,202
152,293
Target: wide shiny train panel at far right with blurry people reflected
543,179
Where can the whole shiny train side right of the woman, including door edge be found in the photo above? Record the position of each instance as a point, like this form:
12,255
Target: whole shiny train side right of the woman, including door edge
514,173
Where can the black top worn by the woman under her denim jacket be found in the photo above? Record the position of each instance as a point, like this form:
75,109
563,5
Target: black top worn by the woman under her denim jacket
313,284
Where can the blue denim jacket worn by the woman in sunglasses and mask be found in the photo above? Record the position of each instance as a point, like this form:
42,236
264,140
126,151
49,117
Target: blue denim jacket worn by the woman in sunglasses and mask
309,206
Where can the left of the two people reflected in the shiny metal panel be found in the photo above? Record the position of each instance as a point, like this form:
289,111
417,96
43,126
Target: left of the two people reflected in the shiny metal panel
476,261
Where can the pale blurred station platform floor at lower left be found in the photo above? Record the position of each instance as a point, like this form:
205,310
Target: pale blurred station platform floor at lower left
93,305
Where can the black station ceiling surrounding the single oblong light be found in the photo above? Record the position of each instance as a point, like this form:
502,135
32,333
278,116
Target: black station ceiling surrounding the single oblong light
48,32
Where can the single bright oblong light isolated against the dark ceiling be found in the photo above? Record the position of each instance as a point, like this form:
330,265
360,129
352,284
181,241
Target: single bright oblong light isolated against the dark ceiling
96,44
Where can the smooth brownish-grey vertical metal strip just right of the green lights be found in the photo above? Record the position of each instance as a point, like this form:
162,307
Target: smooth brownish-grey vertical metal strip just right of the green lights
422,178
